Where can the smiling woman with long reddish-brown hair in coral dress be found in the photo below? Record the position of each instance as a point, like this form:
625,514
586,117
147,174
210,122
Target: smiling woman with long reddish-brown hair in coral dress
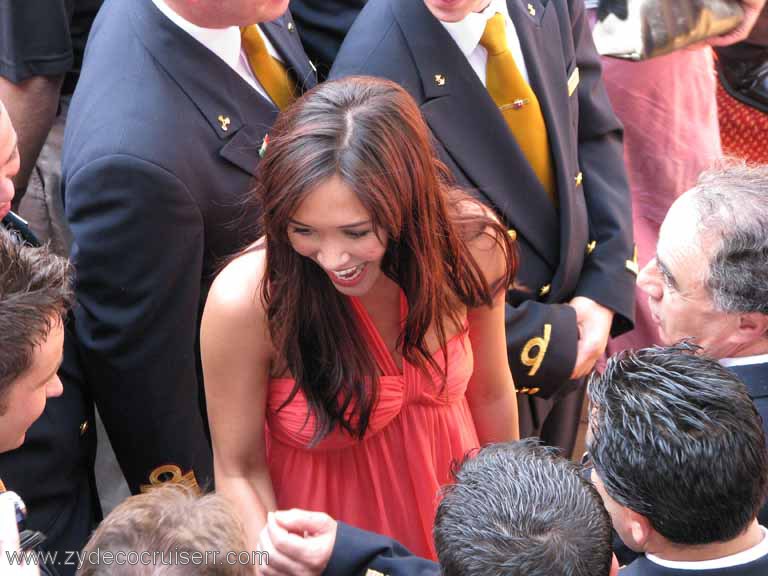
366,329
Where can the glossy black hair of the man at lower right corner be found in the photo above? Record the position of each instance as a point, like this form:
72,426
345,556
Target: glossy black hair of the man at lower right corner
676,438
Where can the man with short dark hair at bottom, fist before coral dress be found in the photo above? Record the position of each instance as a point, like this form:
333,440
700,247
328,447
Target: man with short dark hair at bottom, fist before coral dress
513,527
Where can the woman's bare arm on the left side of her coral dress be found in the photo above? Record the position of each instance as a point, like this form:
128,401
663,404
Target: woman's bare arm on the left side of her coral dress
237,352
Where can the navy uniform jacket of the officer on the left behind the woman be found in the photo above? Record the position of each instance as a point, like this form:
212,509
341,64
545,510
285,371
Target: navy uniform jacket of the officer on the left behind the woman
160,150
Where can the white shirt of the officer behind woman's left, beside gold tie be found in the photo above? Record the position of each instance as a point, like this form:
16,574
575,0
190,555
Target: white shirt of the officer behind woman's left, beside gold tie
226,43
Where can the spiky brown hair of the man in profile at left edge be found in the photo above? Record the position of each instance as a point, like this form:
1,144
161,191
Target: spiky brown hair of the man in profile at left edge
35,292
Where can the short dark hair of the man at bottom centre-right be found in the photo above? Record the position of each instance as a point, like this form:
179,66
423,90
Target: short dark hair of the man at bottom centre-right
519,509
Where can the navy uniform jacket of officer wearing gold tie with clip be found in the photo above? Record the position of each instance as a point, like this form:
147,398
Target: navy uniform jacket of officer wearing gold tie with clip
584,247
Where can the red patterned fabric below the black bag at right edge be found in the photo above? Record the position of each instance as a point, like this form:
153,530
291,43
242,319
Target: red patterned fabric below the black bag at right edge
743,129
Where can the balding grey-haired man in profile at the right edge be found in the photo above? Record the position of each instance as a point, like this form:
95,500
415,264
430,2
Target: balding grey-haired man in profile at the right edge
708,281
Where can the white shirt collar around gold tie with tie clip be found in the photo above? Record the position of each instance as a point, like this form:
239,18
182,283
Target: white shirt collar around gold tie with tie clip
467,33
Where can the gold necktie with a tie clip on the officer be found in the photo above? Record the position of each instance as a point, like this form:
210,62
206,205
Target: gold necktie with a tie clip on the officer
517,103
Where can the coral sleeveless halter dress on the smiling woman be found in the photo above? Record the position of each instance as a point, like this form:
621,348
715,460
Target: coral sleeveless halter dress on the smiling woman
387,482
